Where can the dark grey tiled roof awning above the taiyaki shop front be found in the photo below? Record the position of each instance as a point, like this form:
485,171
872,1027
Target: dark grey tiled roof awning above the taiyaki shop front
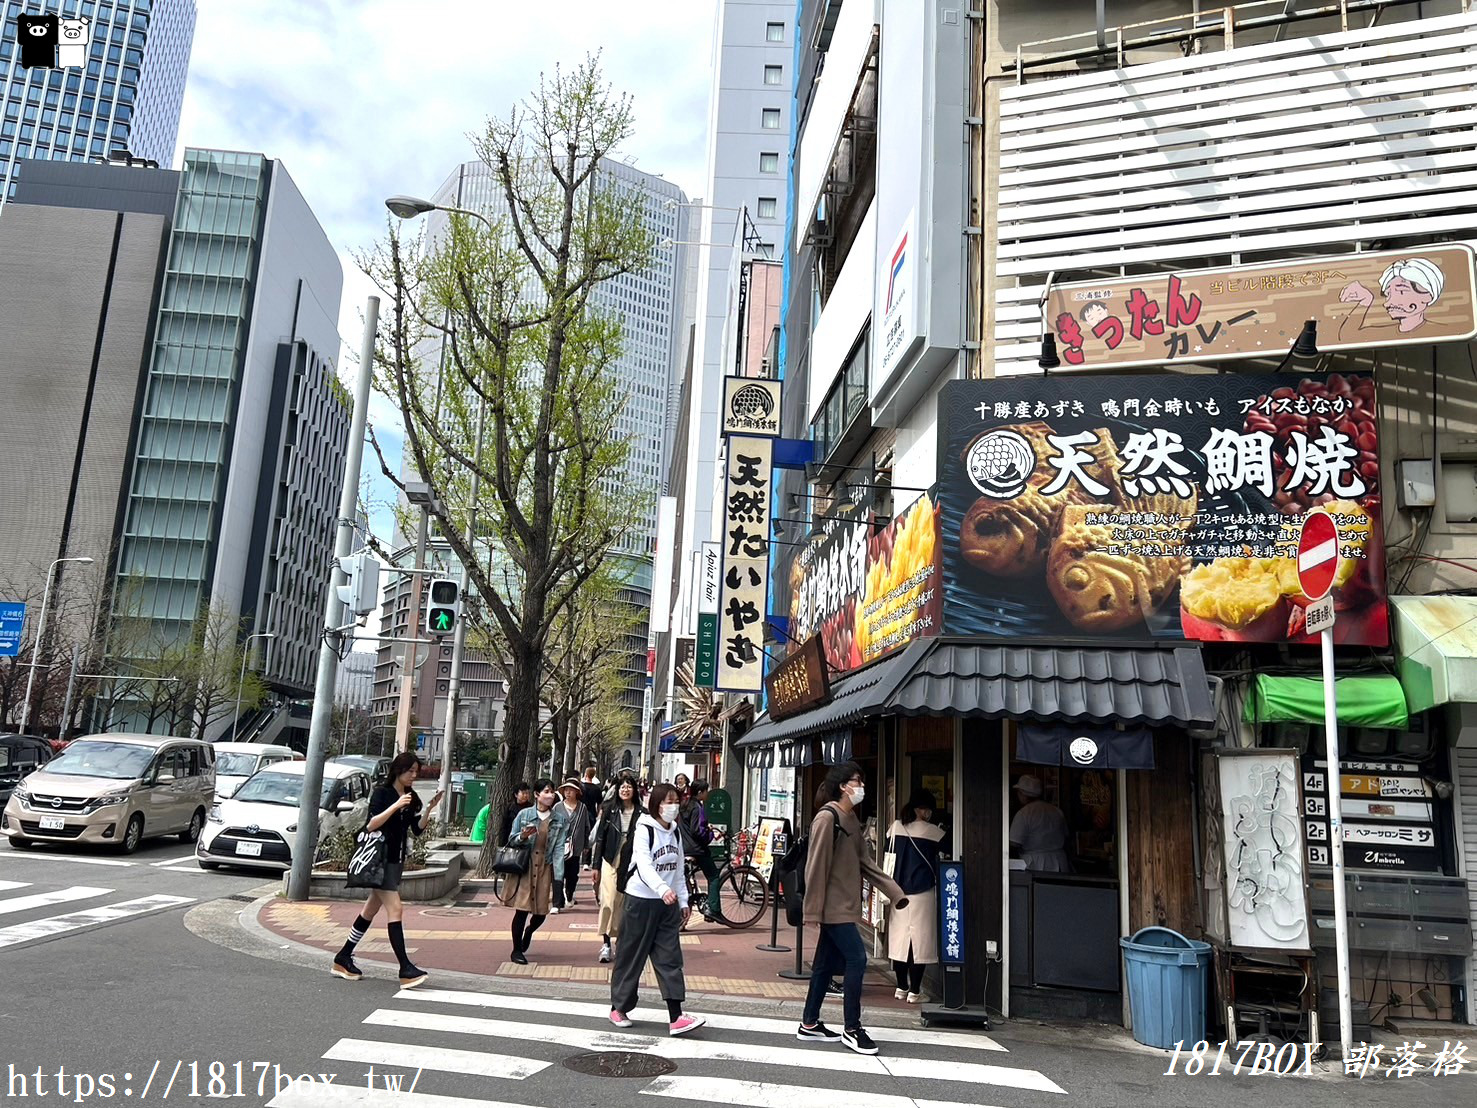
1154,686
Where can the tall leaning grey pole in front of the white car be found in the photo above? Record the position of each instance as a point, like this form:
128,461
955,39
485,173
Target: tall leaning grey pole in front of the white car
305,847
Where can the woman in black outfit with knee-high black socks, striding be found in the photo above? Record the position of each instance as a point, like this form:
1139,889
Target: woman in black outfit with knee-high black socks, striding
398,812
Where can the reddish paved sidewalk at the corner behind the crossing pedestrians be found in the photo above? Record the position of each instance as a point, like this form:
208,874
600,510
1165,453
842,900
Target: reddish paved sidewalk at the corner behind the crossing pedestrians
472,936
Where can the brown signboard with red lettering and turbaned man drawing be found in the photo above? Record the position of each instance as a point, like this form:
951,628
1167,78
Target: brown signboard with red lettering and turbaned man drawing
1360,301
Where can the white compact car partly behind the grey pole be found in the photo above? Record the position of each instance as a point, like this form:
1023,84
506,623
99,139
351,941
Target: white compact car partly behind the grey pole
258,825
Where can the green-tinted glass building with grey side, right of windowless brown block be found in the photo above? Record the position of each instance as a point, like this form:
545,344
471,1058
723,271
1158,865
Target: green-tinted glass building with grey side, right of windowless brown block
243,426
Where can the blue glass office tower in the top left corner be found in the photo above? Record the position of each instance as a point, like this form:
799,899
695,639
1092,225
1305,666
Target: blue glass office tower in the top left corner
125,97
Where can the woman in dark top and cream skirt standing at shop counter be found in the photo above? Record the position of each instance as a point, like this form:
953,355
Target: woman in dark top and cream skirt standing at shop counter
914,931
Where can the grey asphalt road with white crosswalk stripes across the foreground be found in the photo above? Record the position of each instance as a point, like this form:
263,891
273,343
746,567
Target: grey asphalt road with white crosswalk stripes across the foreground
143,1007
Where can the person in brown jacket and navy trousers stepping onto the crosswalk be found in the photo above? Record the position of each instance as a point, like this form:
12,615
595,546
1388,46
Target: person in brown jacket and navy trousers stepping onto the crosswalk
834,869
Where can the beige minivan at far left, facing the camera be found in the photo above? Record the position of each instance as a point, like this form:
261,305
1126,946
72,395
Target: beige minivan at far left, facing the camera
116,790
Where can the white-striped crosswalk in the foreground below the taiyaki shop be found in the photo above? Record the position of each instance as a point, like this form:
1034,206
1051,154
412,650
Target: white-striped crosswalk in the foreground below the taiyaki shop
428,1044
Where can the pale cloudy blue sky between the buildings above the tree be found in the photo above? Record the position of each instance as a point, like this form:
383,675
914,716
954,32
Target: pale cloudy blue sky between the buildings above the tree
364,100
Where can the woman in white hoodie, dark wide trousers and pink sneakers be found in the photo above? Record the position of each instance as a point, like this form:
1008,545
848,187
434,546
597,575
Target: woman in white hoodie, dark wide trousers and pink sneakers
654,915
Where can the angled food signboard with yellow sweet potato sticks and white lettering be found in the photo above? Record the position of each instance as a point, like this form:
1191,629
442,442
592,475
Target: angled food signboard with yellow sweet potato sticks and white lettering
868,589
